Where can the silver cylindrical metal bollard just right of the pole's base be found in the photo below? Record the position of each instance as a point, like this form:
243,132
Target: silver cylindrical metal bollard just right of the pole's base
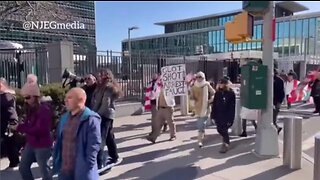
292,145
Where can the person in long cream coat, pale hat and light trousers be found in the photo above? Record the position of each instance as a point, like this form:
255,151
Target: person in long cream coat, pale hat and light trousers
202,93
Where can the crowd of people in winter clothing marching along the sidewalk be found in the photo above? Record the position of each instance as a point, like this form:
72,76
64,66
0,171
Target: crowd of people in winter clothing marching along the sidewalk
86,127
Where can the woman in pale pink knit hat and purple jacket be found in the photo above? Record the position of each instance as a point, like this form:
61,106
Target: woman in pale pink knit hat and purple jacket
36,127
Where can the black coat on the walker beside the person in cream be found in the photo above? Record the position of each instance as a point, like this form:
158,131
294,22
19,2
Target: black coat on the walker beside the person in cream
223,107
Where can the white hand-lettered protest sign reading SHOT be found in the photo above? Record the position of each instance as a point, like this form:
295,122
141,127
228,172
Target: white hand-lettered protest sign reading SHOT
173,78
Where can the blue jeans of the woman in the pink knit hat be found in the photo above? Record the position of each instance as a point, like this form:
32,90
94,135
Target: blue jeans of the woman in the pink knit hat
39,155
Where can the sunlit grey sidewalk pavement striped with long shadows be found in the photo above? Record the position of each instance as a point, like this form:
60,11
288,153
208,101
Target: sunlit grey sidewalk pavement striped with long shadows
182,159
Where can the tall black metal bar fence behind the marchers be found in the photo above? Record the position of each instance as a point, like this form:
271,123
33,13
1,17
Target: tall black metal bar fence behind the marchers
144,65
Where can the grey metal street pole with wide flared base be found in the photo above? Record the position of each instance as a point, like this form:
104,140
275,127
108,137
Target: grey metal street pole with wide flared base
267,136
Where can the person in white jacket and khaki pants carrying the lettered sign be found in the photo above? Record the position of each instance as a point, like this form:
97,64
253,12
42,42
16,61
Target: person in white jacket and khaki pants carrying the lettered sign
165,106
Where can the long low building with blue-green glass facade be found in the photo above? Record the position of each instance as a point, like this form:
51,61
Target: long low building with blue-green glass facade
295,35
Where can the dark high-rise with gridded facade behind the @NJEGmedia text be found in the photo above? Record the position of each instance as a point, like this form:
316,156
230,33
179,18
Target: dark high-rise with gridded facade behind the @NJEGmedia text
81,11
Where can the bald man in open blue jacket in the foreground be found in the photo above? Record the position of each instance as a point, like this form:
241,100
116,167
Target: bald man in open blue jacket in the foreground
78,140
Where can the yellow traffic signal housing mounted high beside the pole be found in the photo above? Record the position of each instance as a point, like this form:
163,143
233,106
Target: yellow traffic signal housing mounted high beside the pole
240,29
